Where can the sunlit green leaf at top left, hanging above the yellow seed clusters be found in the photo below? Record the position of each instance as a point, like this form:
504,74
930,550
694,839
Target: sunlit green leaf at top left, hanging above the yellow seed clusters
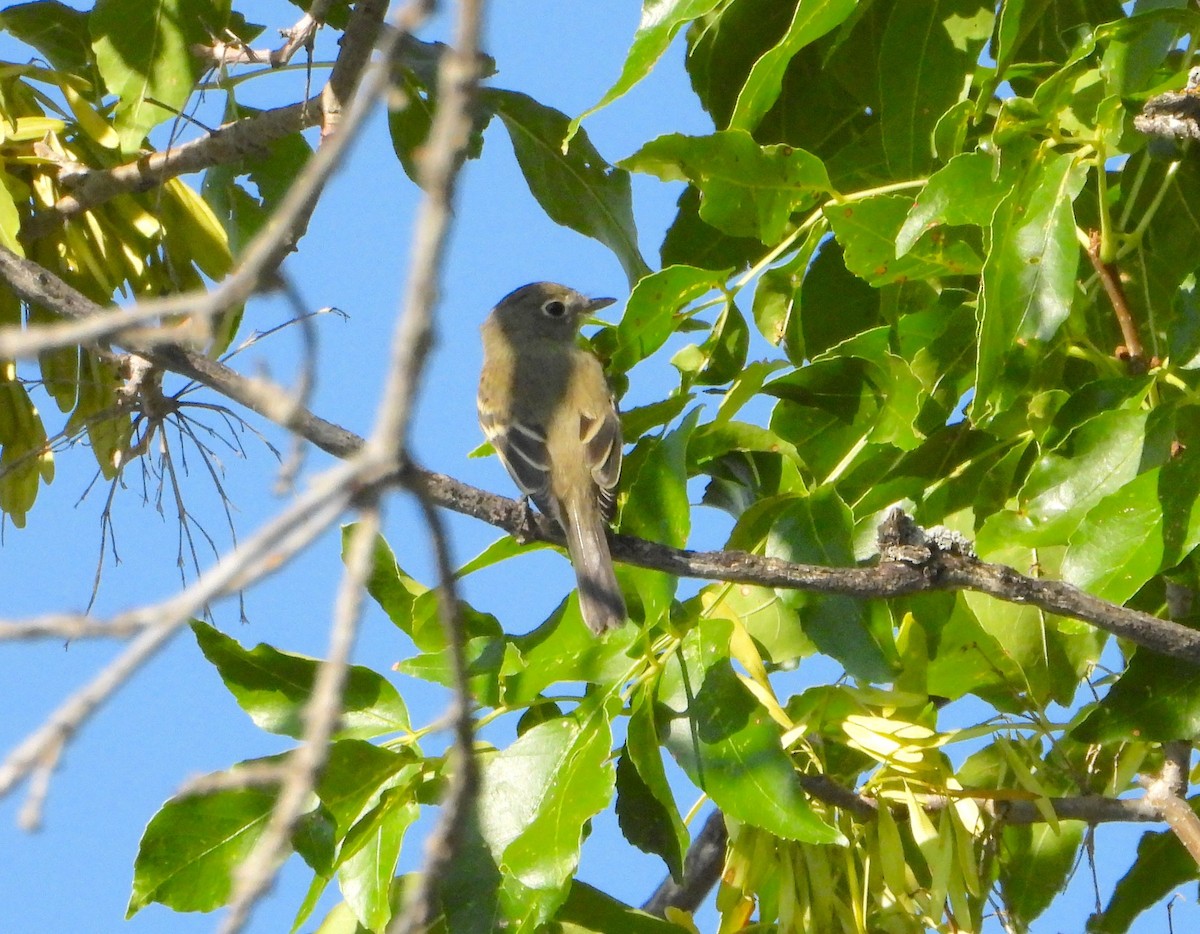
143,52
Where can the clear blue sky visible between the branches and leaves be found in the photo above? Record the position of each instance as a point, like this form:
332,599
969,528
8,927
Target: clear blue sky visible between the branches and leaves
176,721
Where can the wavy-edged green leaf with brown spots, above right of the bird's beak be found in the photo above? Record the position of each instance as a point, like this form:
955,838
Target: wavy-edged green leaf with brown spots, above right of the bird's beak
746,190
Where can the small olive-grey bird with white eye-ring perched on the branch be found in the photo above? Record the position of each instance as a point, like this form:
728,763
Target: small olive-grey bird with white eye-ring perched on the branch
545,406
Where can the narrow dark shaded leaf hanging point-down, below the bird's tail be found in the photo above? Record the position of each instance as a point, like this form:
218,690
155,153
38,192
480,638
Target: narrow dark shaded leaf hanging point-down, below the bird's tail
646,809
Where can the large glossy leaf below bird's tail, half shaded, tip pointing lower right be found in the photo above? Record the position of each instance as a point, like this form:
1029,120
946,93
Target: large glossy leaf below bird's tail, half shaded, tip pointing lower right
728,744
